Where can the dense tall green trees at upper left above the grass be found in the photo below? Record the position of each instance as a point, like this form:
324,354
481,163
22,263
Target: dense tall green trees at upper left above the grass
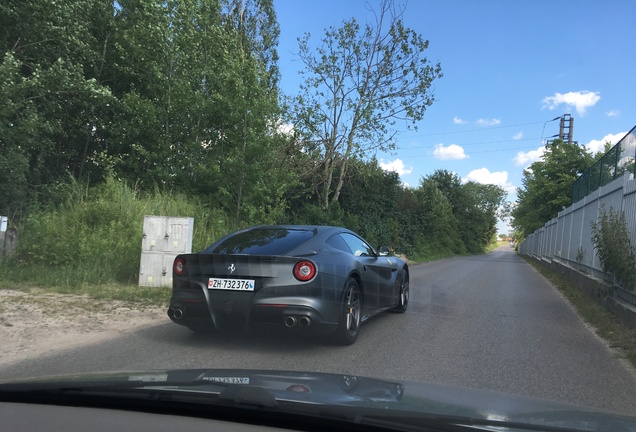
177,93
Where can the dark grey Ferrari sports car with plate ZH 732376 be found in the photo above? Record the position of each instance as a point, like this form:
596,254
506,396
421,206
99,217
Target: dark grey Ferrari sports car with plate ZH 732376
303,280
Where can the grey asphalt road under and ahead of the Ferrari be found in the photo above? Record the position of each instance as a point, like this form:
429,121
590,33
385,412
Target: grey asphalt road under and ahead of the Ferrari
489,322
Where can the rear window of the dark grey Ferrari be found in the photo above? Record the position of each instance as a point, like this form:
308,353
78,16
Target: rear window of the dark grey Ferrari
263,241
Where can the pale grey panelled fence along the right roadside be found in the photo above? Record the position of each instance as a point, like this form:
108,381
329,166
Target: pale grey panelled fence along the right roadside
568,237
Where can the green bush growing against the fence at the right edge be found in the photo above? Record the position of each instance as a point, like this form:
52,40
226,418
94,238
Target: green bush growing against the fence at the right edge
613,247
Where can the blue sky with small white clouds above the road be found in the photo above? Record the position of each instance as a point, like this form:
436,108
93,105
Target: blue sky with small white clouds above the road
509,68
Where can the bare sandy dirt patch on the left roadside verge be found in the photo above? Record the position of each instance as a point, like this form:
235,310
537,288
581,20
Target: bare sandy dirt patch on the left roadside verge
36,323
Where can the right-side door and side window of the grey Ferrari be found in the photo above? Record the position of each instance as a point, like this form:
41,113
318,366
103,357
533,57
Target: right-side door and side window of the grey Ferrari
377,275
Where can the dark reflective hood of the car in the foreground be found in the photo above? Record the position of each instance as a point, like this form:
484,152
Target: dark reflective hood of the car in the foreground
352,393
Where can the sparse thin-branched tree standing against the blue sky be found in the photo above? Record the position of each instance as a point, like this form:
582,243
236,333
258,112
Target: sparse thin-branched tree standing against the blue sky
357,84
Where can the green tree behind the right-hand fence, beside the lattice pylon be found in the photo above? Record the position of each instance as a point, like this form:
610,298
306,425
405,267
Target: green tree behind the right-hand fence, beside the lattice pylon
547,185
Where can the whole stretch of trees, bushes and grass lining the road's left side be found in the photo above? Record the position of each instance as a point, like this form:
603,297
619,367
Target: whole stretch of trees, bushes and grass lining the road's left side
113,111
